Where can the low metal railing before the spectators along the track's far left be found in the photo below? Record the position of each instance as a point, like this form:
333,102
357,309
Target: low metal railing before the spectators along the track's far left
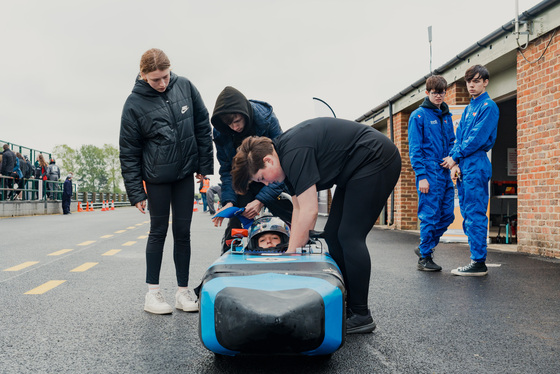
39,190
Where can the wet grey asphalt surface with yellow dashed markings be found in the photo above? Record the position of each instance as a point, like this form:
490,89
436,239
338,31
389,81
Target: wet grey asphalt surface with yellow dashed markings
72,291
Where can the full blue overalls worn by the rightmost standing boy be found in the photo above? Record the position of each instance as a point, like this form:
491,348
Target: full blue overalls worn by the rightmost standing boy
476,135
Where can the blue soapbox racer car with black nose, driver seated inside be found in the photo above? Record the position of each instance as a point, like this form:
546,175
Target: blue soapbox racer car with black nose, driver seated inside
263,301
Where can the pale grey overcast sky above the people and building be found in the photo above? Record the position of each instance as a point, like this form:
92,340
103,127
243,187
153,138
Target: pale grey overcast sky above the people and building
67,66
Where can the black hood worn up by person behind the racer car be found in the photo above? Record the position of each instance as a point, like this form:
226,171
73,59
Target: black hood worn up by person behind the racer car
229,101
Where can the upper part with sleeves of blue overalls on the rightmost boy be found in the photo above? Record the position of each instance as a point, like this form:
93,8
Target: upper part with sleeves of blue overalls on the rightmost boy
478,128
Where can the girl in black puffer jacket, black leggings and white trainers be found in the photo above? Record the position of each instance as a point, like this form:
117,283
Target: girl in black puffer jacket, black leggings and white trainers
165,138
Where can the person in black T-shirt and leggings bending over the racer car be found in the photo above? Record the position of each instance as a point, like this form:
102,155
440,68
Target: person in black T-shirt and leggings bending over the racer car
315,155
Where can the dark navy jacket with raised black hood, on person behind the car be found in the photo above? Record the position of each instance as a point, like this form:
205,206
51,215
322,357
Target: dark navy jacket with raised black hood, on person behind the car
260,121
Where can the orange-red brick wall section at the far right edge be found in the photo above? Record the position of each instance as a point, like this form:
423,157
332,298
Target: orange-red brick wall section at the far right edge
538,150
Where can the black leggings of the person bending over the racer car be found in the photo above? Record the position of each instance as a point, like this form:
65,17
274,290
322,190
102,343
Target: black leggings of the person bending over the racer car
354,210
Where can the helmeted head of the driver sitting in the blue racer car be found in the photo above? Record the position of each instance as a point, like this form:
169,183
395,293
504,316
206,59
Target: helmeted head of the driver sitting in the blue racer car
269,232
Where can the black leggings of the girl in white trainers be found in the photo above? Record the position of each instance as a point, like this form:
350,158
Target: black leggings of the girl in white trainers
180,195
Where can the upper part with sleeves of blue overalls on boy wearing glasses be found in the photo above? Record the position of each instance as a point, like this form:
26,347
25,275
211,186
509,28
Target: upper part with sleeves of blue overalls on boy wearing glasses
430,137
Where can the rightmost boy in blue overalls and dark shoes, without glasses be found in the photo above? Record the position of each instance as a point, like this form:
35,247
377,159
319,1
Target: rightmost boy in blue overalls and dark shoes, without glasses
471,168
